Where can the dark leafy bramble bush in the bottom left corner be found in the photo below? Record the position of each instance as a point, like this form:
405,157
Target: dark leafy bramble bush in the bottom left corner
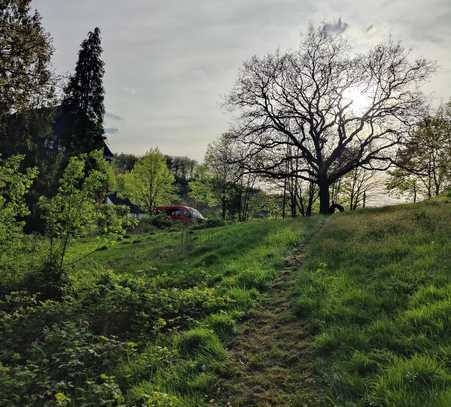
66,362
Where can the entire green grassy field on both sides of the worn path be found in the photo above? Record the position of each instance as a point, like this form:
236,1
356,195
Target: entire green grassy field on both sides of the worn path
155,319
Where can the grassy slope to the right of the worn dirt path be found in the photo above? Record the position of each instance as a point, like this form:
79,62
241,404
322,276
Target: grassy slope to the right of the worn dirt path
376,289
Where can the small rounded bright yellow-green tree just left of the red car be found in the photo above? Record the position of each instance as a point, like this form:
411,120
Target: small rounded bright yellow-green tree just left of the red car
150,183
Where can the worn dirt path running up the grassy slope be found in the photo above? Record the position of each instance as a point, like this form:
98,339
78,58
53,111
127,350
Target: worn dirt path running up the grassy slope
271,363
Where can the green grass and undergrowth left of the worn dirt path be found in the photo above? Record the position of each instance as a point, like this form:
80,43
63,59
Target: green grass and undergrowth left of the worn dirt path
142,323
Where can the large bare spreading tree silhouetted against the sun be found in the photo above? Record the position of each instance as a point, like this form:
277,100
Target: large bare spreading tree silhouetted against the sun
307,101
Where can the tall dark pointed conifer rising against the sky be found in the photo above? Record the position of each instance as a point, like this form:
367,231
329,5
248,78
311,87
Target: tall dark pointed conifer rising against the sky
81,123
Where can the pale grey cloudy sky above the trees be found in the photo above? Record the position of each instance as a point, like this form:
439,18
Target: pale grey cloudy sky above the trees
170,63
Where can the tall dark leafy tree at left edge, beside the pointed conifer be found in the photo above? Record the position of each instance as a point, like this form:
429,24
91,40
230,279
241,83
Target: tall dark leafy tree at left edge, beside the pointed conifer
26,91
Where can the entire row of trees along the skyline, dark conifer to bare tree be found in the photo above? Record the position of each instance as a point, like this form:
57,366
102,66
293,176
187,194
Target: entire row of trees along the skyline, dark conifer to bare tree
314,127
